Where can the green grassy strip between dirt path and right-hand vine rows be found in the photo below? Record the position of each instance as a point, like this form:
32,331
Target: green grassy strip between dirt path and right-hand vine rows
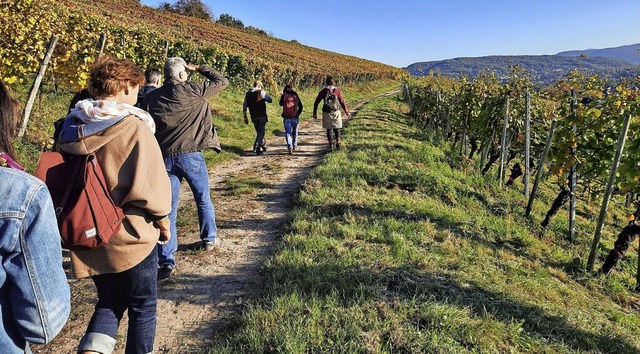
396,246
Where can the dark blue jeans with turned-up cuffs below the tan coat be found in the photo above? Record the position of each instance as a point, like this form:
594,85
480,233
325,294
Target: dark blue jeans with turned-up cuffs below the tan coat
135,290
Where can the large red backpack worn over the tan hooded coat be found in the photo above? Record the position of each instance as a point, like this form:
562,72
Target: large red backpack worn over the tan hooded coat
87,215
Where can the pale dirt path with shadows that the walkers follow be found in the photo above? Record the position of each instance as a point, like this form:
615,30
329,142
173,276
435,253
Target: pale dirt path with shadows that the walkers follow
208,288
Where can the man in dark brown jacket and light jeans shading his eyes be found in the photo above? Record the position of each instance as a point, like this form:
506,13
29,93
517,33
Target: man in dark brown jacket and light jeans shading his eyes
182,114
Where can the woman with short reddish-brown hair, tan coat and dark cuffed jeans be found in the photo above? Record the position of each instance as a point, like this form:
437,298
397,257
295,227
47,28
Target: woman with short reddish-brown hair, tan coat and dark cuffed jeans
124,270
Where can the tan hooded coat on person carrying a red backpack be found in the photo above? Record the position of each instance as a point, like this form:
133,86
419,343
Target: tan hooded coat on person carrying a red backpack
134,171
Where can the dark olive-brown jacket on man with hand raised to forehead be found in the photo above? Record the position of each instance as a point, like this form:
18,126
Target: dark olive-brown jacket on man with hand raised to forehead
182,113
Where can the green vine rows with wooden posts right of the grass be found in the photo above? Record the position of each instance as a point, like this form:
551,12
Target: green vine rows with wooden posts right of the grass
575,129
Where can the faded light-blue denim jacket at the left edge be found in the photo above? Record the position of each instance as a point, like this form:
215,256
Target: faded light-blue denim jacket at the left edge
34,293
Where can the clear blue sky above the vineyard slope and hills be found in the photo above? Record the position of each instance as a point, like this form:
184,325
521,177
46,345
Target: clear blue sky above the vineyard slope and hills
402,32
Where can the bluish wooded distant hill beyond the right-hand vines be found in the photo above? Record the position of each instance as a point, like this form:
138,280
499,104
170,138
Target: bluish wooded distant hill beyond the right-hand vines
544,69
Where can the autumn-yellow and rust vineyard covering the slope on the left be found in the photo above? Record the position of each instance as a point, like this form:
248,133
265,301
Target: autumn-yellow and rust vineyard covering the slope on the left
147,36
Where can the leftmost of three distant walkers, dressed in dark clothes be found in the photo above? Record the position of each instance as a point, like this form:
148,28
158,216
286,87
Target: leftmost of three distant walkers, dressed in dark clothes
255,99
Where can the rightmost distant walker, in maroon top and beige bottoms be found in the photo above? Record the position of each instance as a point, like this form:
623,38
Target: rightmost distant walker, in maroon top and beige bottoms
332,99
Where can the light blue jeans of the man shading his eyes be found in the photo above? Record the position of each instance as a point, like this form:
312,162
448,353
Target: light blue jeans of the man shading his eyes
192,167
